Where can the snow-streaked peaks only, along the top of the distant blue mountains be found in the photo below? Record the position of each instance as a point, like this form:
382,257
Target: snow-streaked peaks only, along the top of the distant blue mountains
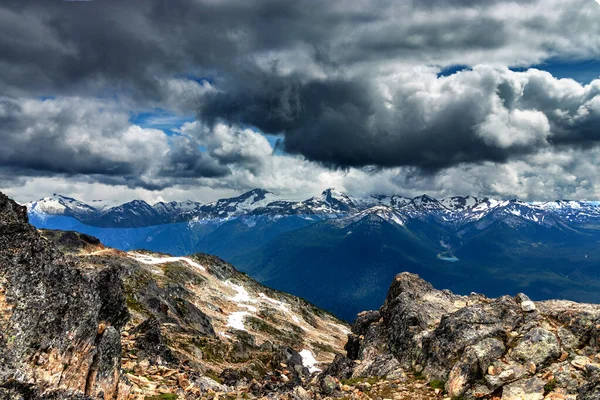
456,210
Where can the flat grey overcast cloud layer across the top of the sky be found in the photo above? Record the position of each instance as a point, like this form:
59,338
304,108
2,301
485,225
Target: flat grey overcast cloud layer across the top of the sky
48,45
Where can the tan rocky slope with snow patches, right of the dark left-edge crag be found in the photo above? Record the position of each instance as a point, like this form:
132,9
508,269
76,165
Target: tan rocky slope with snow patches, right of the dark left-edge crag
198,326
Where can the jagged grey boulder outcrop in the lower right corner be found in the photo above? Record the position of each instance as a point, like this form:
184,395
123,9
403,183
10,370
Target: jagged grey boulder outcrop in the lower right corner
507,348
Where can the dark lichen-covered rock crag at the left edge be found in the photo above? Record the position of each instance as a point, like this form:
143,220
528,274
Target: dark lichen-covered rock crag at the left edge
60,322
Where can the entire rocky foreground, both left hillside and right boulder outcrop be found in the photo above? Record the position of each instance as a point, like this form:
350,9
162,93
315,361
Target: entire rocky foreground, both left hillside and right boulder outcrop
82,321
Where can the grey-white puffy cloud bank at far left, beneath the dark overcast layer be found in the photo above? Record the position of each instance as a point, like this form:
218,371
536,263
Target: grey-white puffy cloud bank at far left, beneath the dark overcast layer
74,136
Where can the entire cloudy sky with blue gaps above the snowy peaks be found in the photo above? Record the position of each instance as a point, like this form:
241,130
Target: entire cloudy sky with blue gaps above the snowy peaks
203,99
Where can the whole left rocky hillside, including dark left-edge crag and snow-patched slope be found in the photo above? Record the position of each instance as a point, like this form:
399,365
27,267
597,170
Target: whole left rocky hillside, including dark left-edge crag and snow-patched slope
80,320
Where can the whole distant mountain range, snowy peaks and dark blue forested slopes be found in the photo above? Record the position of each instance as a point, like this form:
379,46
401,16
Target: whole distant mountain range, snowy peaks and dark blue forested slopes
340,252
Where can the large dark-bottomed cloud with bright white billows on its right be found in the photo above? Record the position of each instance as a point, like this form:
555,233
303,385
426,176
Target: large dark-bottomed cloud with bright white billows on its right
487,114
